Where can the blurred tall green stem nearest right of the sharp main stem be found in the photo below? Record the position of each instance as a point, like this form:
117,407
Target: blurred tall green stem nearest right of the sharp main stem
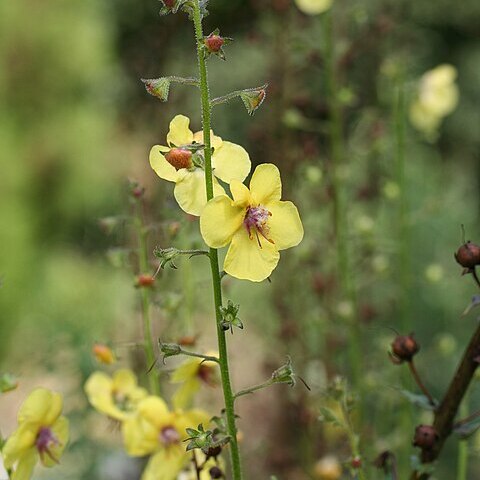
340,217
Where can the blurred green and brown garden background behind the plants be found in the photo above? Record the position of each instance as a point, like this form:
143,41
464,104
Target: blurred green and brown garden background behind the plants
76,123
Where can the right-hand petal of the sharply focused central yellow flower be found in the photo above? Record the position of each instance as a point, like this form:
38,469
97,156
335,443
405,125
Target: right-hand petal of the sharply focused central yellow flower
285,226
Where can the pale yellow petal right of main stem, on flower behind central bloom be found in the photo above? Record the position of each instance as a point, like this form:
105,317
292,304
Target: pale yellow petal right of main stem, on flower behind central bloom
231,162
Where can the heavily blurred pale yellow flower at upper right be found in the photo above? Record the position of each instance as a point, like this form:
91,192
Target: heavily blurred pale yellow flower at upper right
437,97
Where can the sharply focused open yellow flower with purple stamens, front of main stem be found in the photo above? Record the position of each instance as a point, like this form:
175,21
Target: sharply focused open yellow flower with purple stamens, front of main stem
255,223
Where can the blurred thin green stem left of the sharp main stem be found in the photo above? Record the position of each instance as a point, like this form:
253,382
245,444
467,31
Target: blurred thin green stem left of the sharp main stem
145,293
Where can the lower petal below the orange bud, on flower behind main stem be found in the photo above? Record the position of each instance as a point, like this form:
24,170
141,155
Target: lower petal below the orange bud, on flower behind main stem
190,192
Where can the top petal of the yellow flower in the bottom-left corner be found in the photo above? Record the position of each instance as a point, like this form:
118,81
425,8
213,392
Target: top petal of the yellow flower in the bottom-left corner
42,407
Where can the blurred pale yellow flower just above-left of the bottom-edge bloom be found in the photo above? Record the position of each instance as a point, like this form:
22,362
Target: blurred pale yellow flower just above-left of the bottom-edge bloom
116,397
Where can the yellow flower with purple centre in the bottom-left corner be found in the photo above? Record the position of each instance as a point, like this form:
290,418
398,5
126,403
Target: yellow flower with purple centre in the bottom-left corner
42,433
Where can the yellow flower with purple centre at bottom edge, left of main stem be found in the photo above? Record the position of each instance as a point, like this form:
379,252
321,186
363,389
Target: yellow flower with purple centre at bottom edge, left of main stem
159,432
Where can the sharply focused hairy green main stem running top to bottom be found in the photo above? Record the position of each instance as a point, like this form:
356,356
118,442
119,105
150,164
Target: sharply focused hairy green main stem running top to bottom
217,288
